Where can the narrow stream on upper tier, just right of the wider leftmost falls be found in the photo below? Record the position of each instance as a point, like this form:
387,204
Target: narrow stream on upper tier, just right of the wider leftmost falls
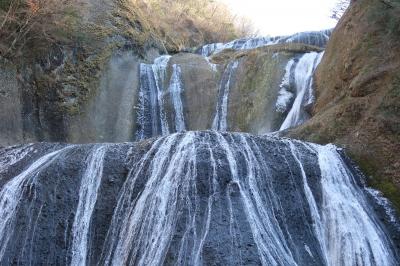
176,90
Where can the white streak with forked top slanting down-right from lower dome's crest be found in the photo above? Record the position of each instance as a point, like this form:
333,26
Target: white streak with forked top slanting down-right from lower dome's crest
267,234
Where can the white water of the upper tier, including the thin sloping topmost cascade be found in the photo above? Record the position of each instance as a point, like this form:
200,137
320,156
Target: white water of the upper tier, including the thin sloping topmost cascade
156,111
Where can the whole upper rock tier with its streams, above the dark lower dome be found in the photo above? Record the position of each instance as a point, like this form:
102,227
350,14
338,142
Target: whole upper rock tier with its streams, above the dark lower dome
190,92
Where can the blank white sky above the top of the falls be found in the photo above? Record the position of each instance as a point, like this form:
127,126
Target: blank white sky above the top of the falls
283,17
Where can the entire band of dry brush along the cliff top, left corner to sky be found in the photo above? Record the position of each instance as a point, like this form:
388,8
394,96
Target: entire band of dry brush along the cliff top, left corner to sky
31,26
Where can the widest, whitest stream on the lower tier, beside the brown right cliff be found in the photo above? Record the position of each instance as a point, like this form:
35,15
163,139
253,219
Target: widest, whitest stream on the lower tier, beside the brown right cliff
353,234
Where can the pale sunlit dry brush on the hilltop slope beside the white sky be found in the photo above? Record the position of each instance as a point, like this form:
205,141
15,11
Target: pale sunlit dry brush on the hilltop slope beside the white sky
187,23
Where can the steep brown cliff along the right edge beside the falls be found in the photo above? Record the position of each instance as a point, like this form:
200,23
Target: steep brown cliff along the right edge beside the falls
357,87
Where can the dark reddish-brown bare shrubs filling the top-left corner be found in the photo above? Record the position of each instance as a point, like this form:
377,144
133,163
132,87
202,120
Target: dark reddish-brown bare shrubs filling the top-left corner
36,24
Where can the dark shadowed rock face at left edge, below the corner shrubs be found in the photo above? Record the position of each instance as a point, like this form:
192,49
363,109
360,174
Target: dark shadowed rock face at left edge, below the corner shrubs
31,101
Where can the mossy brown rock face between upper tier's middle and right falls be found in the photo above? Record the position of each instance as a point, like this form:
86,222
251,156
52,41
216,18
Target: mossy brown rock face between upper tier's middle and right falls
255,92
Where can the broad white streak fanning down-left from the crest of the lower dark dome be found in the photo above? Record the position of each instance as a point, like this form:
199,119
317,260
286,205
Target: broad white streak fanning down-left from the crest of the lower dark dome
146,229
